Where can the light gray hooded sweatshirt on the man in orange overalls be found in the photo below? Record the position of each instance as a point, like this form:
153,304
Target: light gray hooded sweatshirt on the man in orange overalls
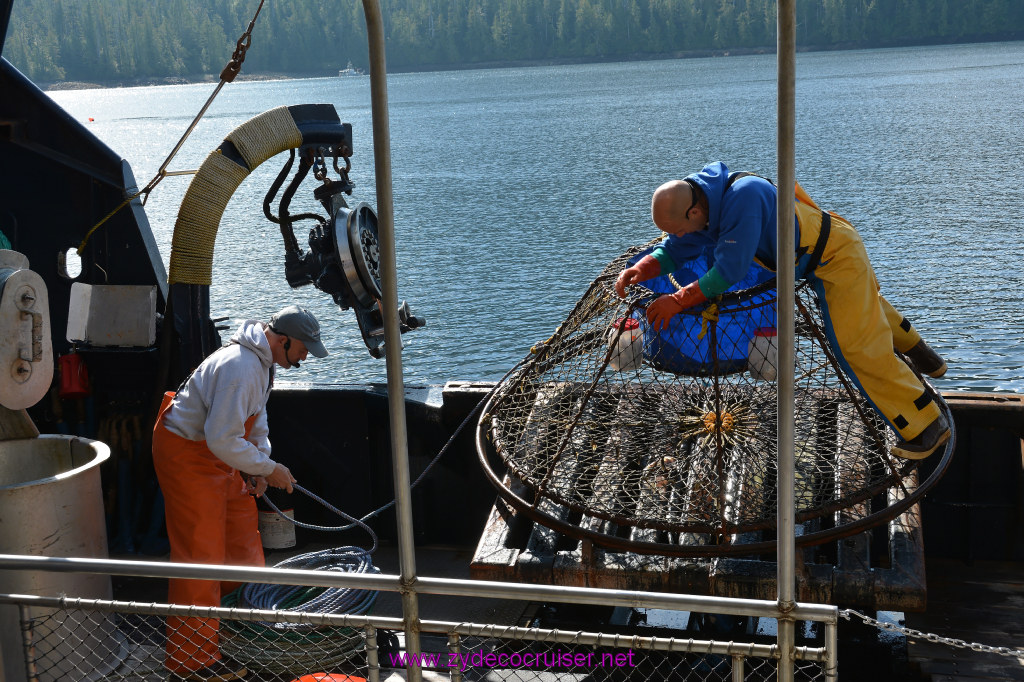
230,387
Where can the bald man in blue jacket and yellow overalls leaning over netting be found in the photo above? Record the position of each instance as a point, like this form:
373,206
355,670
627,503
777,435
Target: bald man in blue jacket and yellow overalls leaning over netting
736,215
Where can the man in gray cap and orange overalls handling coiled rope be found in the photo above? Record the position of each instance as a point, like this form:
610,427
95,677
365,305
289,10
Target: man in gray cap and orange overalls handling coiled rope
212,454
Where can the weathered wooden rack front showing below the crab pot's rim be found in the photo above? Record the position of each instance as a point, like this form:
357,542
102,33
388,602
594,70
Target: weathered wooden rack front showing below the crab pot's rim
514,548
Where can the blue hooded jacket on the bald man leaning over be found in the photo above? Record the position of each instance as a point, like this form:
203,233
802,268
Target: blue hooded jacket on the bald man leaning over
742,226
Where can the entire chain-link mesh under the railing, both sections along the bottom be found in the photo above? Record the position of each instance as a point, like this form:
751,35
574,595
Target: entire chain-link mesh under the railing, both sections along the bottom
78,641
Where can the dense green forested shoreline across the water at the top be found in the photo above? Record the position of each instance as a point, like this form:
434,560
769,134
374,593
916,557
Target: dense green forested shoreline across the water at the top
127,41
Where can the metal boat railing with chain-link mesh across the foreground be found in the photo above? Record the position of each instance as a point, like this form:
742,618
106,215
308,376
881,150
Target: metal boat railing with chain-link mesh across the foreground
69,637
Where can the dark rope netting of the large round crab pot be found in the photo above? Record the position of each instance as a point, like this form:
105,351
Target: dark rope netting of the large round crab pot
676,432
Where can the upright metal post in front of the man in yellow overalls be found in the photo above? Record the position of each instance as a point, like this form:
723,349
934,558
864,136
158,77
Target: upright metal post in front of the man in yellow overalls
787,359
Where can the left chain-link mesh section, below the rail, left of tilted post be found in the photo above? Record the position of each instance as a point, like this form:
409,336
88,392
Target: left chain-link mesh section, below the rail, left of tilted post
94,641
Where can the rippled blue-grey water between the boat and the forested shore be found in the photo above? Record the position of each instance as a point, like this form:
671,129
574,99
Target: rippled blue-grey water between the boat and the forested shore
515,187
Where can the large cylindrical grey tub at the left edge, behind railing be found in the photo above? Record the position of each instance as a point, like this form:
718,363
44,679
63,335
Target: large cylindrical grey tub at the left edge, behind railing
52,505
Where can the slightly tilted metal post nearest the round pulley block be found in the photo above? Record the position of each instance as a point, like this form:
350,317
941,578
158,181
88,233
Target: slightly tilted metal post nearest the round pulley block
393,335
